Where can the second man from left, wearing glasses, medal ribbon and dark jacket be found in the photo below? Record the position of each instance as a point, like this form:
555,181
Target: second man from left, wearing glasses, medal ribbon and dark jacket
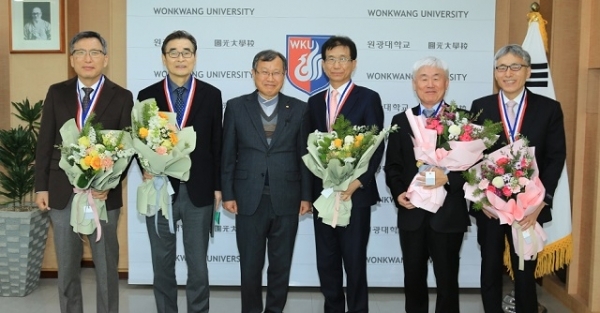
197,104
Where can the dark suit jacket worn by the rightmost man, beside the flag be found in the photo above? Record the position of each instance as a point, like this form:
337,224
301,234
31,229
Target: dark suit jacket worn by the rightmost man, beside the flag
543,126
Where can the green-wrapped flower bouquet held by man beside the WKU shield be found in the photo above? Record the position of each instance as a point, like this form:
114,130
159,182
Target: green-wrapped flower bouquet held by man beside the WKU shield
338,158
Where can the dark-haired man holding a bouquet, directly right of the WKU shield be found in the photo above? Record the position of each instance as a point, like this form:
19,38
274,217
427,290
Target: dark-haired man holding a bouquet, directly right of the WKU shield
361,106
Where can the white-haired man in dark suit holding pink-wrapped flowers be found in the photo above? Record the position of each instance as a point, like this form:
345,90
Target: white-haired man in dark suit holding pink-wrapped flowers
423,234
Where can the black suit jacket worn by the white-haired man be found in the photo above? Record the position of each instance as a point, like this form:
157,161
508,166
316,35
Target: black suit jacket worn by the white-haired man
400,169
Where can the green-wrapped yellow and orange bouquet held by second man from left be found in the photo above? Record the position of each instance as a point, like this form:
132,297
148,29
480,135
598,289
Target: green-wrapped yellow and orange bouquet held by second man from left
163,151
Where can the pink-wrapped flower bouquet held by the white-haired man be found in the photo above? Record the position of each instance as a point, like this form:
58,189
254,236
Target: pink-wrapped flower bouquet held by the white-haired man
450,141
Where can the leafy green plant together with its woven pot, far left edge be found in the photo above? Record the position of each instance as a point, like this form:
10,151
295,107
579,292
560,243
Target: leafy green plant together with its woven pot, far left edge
23,228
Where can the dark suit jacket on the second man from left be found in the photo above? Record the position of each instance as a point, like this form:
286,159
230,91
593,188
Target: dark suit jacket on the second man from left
205,116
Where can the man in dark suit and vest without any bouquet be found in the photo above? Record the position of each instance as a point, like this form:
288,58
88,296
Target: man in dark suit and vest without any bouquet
265,182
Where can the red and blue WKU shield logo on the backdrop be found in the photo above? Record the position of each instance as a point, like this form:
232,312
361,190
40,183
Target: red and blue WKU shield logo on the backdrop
305,71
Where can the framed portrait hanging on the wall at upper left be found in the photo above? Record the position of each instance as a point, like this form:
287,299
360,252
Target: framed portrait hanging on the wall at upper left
37,26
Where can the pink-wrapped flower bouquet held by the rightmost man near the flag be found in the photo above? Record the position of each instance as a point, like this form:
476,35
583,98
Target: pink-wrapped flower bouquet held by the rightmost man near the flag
507,185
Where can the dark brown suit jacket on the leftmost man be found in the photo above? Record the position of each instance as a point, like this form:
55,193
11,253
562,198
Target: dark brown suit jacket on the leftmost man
113,111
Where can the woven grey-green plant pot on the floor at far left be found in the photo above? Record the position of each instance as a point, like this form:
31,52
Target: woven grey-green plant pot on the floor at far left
23,238
